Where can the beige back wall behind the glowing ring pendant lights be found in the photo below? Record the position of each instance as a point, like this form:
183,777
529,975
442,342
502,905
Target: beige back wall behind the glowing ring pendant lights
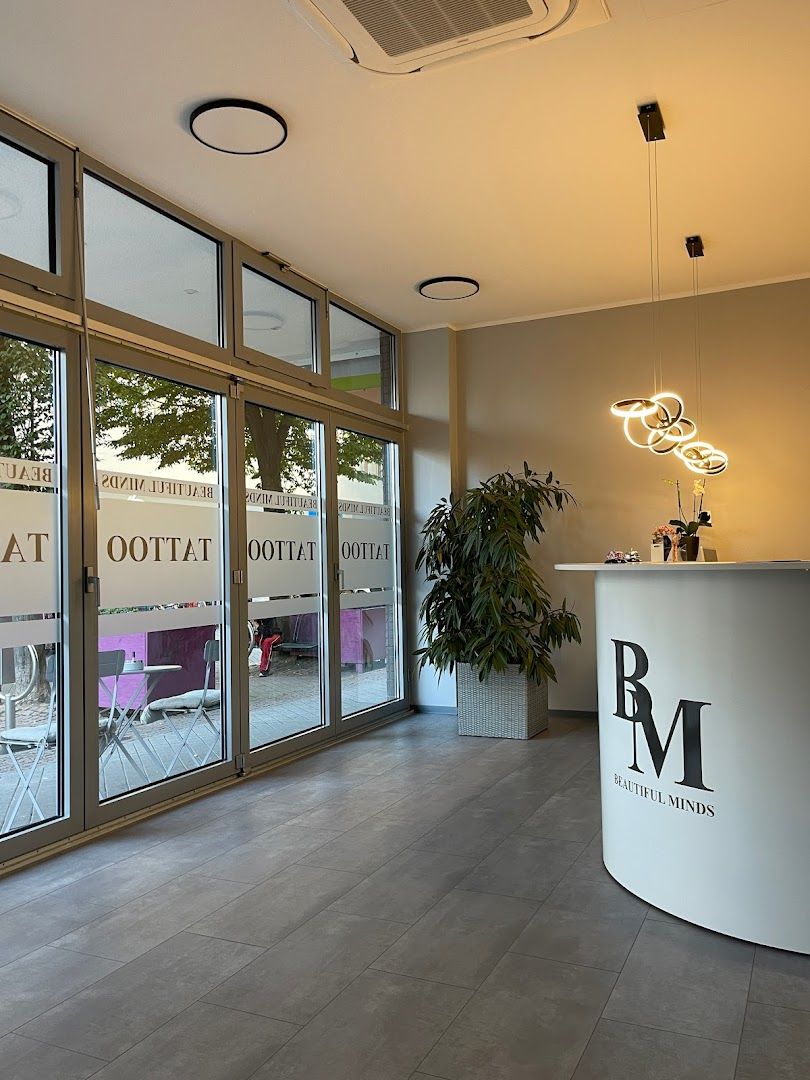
541,391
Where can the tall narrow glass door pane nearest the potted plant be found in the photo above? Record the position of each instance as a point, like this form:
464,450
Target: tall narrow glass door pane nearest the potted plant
368,532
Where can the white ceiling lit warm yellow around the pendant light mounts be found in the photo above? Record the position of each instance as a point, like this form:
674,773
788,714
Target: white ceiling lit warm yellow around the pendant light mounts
526,170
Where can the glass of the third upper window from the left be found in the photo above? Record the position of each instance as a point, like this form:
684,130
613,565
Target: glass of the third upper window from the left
278,321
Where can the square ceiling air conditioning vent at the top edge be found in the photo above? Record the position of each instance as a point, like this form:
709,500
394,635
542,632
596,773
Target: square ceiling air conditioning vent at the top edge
398,37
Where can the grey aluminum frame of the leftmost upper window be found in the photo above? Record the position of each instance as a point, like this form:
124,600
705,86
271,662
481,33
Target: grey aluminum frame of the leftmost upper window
60,283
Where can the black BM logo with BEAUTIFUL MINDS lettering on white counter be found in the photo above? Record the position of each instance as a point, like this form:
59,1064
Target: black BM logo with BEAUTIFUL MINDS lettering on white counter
630,688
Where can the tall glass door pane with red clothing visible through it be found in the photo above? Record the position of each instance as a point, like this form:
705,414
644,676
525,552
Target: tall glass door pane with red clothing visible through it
285,574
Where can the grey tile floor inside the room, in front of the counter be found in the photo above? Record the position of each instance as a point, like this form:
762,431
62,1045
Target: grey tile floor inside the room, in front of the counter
406,906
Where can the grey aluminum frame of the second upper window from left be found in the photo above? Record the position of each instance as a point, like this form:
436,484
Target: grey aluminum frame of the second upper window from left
112,318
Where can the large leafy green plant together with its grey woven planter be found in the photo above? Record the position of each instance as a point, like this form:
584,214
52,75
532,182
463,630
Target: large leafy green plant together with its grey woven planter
488,614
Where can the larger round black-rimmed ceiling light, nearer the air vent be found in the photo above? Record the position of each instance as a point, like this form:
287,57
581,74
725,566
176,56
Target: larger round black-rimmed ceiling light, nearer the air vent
235,126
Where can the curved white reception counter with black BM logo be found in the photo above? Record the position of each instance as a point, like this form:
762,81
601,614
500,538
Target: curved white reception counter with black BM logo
705,741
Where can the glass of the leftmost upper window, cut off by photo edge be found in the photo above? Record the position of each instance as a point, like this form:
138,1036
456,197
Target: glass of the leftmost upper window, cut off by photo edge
25,208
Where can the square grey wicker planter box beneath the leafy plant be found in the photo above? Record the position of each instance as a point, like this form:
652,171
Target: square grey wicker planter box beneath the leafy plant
507,706
